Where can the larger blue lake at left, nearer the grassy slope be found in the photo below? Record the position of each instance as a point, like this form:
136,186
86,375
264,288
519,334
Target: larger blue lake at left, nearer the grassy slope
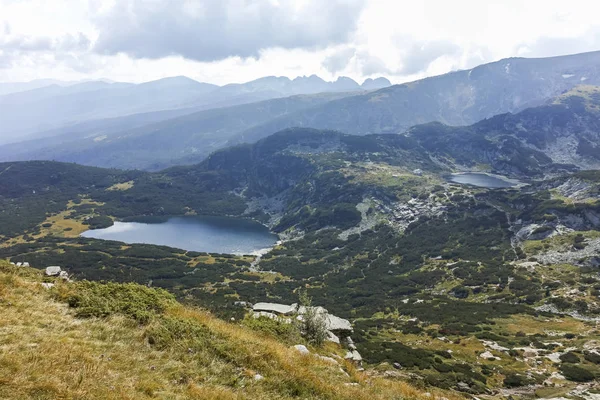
207,234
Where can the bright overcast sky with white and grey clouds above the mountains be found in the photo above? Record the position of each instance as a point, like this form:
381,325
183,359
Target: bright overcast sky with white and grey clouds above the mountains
221,41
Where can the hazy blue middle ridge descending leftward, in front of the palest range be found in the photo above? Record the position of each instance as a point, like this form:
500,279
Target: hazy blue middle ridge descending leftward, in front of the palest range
186,139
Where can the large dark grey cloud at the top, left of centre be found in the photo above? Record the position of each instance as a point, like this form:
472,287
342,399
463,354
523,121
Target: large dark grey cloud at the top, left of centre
217,29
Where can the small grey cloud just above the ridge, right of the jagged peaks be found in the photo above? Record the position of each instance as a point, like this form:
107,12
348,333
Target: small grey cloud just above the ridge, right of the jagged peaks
420,55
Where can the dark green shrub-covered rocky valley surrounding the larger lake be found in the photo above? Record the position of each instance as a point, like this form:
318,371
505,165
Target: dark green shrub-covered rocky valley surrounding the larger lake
457,284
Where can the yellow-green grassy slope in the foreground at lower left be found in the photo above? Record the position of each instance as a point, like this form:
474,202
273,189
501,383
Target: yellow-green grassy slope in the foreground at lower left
50,352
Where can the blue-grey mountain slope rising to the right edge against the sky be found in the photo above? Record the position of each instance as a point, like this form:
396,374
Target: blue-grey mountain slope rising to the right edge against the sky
456,98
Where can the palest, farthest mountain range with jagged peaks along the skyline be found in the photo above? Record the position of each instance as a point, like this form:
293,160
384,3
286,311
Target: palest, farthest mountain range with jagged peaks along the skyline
50,105
